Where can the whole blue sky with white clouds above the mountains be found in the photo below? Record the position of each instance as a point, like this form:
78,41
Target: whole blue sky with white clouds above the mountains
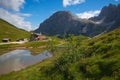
28,14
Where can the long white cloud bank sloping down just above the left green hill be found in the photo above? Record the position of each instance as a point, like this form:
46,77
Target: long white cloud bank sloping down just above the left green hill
15,19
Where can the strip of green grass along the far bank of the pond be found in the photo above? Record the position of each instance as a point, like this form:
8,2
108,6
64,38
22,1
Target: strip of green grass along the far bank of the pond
35,46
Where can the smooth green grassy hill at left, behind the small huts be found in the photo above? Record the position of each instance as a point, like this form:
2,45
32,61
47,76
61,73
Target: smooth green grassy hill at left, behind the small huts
9,31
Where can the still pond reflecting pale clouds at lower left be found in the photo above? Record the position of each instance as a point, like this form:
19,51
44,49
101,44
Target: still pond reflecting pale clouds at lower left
19,59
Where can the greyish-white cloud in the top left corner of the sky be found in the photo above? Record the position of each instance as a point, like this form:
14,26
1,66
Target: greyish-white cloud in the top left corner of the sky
12,4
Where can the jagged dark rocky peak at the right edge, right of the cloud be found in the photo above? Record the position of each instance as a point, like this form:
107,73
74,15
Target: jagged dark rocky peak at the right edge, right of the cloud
110,17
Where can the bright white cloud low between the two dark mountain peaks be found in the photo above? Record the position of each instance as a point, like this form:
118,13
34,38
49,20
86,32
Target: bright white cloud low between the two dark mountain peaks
88,14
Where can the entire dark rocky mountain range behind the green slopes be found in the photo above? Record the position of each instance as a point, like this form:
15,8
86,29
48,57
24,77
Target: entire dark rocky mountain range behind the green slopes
64,22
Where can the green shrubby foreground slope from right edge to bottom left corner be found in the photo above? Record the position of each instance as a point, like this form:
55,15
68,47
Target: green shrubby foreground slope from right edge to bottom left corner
80,59
